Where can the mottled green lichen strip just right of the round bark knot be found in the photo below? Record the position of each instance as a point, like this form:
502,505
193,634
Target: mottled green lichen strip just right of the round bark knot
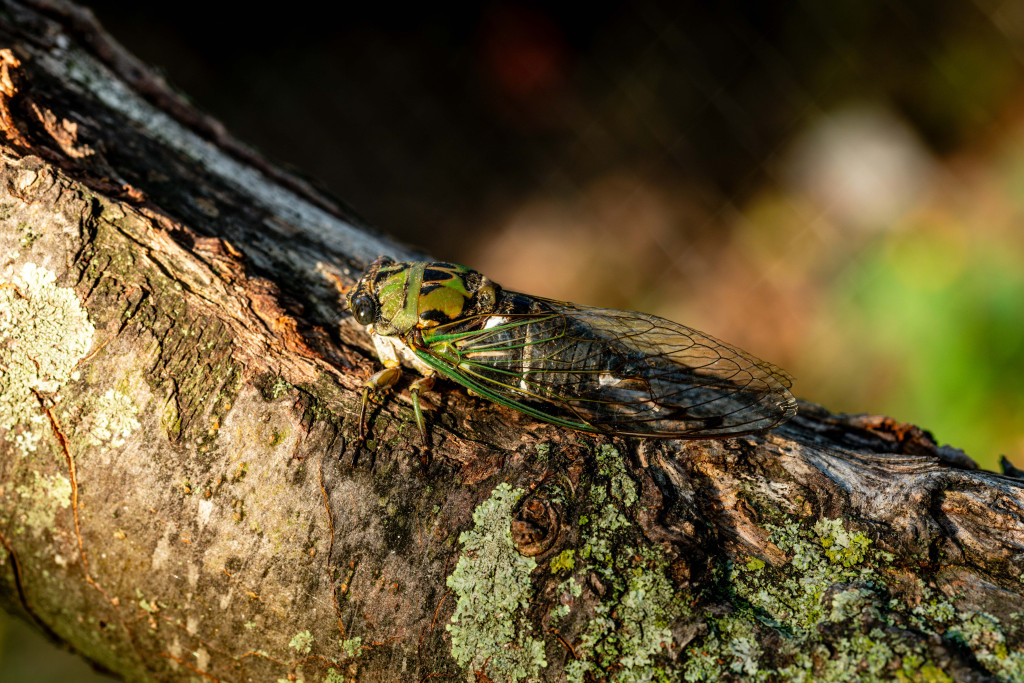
632,623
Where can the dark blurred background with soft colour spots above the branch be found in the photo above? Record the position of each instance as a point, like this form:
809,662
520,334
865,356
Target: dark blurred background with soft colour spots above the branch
838,188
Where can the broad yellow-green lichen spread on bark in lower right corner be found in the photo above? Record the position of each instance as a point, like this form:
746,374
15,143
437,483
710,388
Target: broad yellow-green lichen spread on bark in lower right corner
831,618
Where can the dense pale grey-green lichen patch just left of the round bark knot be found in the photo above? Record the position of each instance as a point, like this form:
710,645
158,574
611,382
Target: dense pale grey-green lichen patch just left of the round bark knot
492,582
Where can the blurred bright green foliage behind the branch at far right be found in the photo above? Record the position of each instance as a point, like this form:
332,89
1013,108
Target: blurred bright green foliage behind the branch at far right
934,331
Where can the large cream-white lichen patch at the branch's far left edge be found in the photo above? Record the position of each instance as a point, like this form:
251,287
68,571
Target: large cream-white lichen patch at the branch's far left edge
45,332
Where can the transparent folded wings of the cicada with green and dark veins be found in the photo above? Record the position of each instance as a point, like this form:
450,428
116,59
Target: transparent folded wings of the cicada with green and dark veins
619,372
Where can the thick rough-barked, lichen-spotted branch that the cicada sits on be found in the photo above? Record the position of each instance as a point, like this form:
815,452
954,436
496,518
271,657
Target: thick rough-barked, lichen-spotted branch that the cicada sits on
182,497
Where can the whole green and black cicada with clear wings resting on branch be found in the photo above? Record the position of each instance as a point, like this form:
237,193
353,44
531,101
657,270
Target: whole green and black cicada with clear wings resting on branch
593,370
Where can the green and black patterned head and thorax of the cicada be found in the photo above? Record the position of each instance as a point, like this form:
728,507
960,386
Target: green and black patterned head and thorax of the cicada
397,297
